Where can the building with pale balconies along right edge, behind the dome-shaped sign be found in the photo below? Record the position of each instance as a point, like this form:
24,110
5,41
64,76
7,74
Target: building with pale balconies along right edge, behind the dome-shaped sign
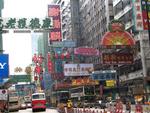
136,75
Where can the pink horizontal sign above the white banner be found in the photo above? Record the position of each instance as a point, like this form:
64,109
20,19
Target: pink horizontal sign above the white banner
86,51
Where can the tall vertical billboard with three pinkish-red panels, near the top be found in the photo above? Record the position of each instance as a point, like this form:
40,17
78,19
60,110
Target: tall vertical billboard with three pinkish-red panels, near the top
55,33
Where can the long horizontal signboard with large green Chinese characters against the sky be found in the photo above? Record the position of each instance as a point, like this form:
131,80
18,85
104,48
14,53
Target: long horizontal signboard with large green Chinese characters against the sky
26,24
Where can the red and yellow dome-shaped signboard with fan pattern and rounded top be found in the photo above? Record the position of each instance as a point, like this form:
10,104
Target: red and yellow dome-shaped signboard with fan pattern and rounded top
117,37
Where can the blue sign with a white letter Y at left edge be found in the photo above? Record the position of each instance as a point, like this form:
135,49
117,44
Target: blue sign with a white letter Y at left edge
4,66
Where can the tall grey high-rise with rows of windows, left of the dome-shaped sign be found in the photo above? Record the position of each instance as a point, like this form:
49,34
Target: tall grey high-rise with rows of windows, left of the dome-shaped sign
95,15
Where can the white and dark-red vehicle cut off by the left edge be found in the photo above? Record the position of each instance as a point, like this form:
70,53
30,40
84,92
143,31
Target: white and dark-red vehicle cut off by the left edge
4,101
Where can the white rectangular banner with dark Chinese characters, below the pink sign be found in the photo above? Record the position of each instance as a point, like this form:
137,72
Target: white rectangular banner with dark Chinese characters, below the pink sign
77,69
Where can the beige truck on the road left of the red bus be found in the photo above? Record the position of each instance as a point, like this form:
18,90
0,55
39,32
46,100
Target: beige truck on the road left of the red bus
14,101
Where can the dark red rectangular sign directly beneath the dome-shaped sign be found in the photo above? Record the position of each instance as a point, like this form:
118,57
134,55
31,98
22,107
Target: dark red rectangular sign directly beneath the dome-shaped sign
117,58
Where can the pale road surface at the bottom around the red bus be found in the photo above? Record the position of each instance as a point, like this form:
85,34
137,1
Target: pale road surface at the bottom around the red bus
30,111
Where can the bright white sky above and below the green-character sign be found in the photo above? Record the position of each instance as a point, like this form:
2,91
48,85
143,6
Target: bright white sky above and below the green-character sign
19,45
